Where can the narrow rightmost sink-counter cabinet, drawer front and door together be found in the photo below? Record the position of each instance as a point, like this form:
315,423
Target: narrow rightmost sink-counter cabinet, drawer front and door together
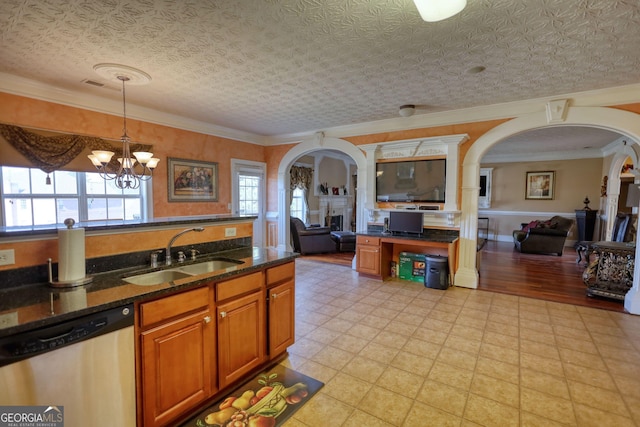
281,308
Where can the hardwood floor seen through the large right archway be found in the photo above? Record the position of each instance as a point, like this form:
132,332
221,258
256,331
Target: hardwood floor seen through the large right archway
547,277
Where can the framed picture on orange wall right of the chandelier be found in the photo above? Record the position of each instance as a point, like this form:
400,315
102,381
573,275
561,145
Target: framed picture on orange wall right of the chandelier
192,181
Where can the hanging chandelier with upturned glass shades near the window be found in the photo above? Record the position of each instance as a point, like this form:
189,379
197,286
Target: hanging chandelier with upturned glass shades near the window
131,171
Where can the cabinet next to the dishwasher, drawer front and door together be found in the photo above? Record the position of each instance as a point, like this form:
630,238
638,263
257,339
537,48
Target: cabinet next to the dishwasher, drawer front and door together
177,364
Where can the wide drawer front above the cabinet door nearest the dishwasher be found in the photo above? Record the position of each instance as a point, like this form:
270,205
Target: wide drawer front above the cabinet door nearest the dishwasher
156,311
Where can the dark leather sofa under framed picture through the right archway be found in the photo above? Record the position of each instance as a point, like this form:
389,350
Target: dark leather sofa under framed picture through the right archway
543,237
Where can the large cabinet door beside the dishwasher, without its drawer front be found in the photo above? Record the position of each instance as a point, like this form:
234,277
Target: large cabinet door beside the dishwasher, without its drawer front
178,361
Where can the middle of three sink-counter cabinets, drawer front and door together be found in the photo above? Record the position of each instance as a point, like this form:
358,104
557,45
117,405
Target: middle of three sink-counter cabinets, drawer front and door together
241,326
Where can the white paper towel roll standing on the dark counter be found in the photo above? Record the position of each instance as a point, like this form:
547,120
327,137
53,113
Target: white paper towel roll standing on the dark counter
71,262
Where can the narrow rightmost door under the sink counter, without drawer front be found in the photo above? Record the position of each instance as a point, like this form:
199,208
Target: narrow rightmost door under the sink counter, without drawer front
281,317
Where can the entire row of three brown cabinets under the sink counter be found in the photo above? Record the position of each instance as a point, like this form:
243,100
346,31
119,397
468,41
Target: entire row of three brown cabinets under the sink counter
193,344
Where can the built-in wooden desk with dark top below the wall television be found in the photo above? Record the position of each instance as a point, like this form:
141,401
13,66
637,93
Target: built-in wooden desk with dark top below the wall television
375,251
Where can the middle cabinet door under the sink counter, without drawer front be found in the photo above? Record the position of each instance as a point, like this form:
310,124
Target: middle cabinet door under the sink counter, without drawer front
241,336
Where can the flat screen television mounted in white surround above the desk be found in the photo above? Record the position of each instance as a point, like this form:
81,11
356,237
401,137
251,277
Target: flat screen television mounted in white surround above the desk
411,181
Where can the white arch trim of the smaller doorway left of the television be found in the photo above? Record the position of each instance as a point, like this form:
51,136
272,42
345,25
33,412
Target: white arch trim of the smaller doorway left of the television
319,142
